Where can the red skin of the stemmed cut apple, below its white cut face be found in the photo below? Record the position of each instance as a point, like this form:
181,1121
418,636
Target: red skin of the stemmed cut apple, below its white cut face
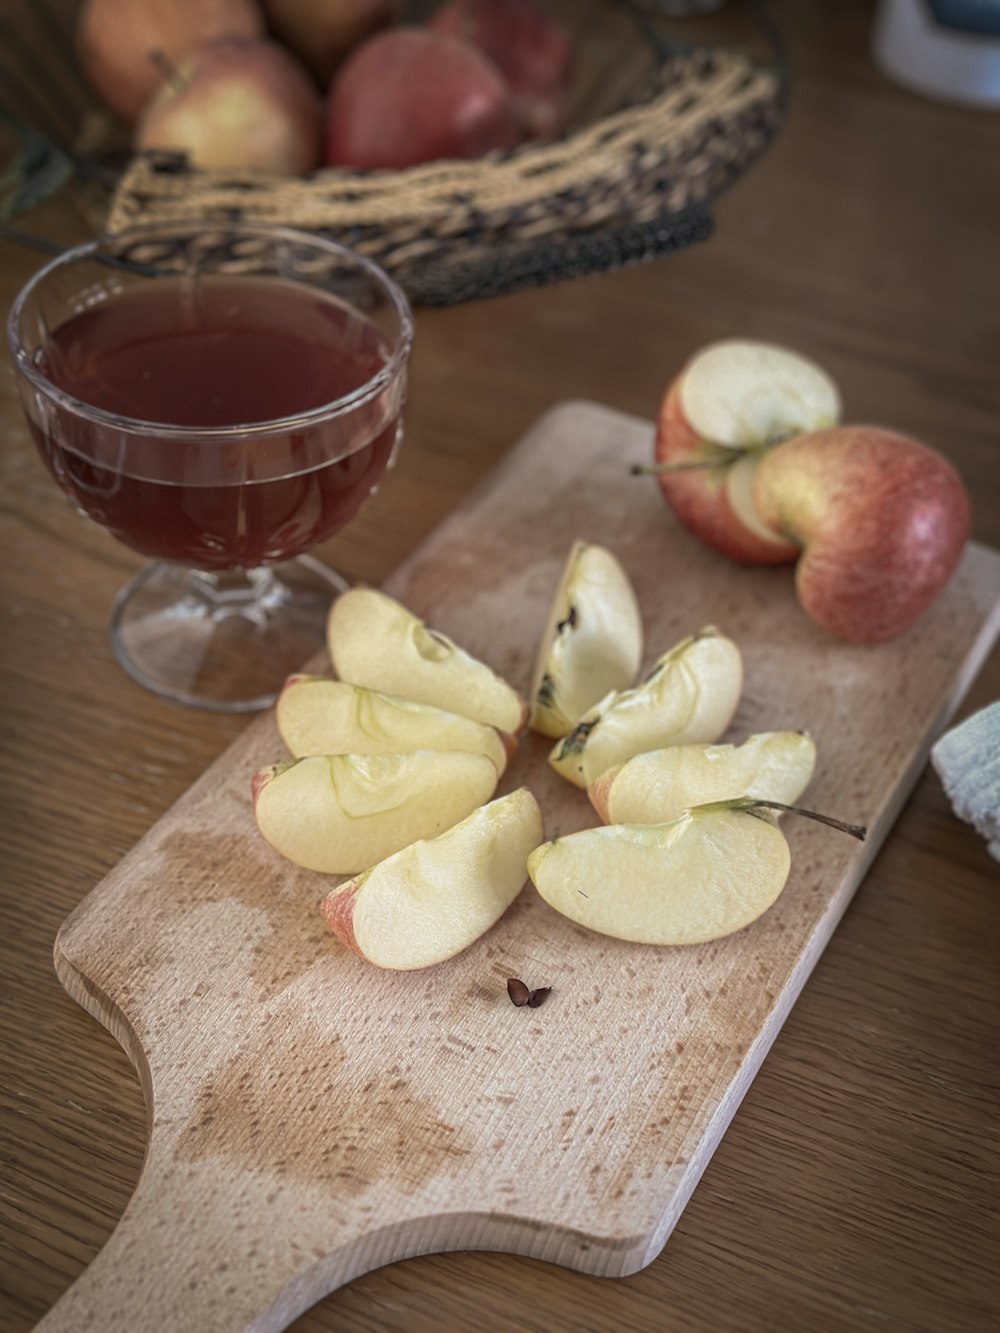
699,497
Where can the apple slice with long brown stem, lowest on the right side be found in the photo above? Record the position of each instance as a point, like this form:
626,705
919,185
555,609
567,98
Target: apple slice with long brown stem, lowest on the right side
699,878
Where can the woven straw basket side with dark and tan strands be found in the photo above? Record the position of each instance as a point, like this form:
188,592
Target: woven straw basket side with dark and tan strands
631,186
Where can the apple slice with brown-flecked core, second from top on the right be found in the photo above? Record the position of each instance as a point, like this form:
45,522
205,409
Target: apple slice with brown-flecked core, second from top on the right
690,695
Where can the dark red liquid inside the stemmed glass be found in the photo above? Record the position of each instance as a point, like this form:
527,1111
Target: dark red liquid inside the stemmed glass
222,353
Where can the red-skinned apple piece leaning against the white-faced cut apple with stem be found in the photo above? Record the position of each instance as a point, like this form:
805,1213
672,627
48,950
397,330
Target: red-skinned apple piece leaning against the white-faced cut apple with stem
883,522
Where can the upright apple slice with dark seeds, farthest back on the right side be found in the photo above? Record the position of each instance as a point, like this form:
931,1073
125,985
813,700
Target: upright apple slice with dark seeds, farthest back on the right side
593,641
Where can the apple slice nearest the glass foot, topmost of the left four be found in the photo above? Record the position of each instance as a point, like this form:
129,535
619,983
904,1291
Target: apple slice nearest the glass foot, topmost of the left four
378,643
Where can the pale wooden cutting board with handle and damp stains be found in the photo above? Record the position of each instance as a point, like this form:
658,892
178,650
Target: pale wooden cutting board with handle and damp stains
313,1118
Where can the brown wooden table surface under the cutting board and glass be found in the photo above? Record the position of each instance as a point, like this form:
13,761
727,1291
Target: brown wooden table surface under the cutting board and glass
858,1183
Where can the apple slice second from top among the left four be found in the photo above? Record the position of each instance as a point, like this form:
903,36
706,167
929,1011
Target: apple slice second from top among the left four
321,716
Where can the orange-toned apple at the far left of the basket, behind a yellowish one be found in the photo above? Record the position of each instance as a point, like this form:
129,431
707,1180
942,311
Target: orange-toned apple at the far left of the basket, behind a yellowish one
115,39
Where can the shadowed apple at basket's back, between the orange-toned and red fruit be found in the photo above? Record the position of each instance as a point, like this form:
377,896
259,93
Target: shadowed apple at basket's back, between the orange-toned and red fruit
322,33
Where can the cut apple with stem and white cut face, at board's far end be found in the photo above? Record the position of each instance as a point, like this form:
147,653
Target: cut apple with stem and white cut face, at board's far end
727,409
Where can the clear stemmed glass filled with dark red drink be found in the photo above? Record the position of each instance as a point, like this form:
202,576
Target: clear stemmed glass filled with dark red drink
222,399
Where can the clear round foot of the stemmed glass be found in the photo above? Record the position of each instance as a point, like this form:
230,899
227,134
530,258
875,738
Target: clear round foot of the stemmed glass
223,642
